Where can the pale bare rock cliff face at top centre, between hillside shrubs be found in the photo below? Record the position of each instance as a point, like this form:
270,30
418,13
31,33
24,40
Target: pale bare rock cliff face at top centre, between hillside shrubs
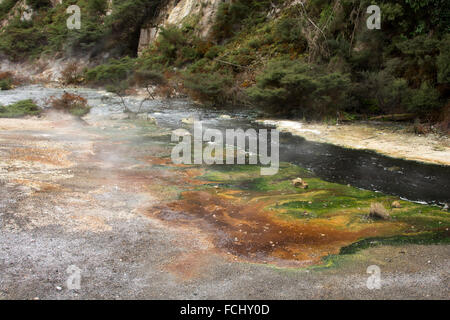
175,12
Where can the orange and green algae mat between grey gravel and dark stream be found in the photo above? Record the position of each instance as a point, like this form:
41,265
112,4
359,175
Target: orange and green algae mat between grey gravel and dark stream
266,219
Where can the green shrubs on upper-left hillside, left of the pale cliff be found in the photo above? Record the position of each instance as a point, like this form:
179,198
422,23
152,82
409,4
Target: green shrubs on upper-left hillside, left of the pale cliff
47,33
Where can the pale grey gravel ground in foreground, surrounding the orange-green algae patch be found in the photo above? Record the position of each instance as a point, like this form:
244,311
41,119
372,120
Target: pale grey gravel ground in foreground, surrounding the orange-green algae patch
65,202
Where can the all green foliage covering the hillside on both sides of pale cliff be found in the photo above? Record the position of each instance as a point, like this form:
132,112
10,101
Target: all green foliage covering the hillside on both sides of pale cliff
316,59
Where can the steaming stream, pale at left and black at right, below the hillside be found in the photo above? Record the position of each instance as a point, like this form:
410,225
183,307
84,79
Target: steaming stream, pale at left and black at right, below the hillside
364,169
